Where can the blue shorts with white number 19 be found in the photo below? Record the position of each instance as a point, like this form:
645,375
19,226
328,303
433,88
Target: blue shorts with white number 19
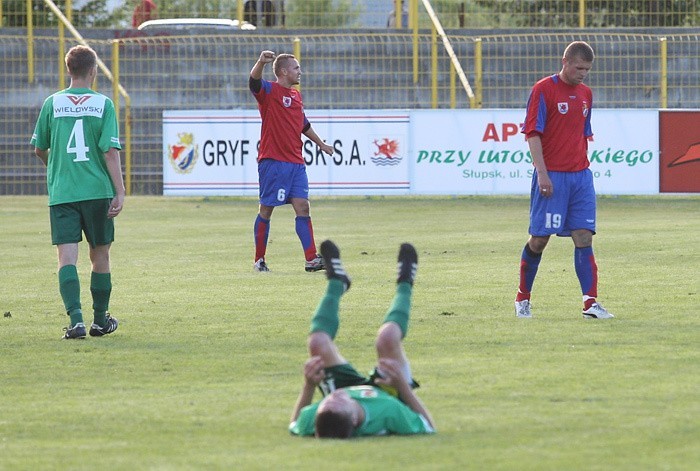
571,207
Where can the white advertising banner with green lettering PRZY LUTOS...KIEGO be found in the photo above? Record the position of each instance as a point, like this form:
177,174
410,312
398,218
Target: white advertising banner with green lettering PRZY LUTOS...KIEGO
475,152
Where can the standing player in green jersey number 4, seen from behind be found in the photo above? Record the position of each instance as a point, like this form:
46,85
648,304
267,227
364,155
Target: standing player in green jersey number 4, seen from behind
77,138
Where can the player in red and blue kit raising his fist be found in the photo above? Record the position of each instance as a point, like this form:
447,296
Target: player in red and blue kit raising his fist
281,168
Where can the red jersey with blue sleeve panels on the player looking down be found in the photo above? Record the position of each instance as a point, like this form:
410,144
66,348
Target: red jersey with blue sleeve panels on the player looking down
561,115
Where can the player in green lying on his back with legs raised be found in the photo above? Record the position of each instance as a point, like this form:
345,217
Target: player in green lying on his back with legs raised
353,404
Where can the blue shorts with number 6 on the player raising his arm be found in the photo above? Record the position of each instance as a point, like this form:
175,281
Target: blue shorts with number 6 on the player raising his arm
280,181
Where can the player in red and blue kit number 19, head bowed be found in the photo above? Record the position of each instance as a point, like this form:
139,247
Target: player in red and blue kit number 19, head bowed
562,196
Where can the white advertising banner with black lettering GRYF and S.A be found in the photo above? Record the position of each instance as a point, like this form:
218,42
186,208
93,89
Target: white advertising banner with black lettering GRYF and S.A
213,152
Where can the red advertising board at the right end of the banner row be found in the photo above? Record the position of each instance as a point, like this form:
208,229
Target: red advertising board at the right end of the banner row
679,136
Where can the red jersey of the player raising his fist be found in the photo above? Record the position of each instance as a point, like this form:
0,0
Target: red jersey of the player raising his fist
283,121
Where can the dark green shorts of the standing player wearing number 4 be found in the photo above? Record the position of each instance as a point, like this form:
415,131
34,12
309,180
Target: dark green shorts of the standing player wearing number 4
70,220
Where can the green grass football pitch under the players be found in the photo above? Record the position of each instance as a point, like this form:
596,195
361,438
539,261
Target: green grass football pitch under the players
206,365
